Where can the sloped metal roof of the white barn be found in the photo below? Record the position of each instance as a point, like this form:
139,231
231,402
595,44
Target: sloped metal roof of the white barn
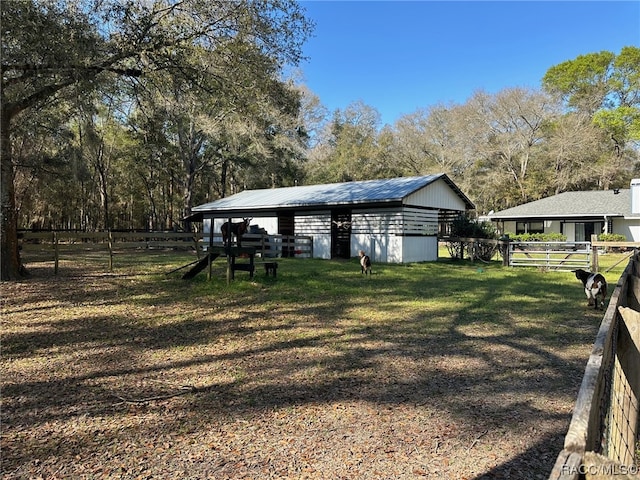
311,197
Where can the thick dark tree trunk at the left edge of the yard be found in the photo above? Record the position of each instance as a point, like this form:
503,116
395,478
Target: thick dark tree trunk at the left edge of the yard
10,265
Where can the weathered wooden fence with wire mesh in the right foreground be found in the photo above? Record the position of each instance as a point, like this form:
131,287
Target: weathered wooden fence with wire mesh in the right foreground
603,434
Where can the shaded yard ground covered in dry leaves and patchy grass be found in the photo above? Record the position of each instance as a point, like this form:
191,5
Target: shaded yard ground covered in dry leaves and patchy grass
441,370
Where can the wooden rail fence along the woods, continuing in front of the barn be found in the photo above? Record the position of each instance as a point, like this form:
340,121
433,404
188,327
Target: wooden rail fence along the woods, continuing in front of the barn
60,244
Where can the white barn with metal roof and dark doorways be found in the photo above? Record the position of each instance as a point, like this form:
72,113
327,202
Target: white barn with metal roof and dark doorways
394,220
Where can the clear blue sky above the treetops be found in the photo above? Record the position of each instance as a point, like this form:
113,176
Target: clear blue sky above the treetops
399,56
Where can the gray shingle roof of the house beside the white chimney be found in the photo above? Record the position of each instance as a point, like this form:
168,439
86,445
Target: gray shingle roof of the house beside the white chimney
573,204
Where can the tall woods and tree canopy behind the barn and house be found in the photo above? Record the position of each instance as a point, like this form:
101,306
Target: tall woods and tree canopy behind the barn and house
125,114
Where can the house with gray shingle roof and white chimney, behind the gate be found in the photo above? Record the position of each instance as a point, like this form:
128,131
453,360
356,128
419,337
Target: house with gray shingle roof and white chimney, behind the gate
578,215
